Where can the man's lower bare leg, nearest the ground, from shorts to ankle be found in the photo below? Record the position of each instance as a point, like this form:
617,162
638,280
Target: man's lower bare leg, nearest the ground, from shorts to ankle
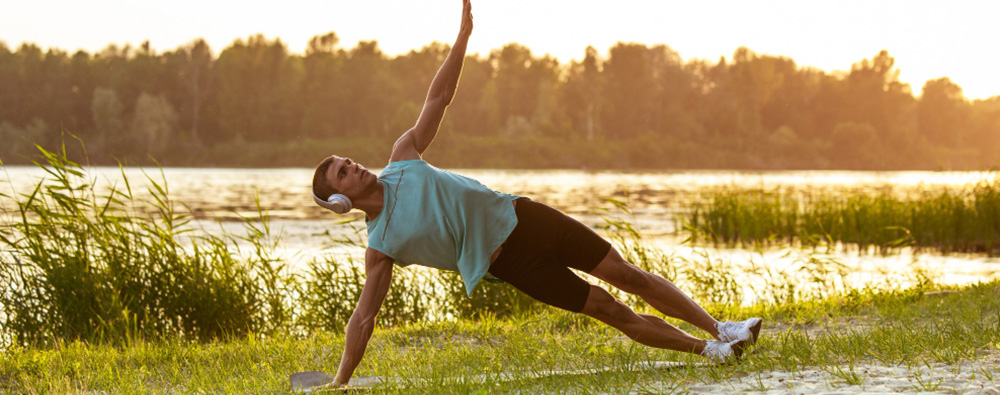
643,328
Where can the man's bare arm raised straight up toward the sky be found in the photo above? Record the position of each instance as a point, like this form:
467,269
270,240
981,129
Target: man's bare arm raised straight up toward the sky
415,141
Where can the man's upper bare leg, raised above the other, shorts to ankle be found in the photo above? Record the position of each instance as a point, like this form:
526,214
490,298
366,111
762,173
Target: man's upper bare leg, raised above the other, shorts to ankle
663,295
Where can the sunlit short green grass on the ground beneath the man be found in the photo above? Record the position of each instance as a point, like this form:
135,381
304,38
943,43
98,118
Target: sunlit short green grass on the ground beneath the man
911,328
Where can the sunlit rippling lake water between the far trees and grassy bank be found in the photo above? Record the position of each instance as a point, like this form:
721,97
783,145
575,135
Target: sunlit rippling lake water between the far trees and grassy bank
218,197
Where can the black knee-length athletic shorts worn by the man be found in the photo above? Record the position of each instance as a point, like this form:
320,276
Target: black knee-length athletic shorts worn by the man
538,254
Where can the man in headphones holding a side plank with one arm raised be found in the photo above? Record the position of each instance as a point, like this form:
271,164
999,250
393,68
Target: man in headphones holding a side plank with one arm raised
418,214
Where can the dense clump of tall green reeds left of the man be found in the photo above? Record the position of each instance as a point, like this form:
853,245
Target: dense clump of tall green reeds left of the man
81,262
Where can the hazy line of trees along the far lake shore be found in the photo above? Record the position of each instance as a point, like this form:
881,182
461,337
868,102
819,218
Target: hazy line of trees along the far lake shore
637,106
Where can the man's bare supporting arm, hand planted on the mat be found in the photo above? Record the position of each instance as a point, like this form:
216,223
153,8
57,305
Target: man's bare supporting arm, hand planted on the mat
378,276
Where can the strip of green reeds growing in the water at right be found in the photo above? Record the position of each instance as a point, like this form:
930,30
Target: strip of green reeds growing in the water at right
948,221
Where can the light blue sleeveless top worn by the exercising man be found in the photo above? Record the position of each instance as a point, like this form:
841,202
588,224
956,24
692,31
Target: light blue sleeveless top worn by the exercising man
440,219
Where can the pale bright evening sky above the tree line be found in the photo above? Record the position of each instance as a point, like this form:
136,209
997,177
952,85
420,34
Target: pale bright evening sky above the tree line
929,39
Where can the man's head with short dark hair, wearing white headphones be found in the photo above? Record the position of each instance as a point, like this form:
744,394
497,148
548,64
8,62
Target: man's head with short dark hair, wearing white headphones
338,175
